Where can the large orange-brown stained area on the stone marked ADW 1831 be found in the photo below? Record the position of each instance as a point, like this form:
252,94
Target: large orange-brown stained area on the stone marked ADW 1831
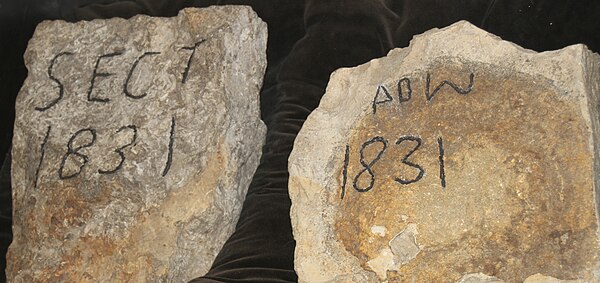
518,198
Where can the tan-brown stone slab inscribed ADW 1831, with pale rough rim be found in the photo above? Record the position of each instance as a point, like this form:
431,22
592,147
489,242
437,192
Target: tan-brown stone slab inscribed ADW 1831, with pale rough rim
461,154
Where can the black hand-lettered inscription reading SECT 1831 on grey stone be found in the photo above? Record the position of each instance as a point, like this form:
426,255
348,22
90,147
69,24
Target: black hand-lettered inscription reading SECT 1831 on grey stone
81,148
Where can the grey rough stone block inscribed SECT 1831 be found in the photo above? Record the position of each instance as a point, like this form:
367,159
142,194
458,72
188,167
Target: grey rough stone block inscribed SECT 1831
133,166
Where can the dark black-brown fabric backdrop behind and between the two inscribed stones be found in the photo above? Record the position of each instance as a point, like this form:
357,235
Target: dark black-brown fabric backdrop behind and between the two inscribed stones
307,41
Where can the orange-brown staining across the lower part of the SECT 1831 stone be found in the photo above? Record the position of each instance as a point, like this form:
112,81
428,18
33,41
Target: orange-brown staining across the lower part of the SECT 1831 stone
66,218
